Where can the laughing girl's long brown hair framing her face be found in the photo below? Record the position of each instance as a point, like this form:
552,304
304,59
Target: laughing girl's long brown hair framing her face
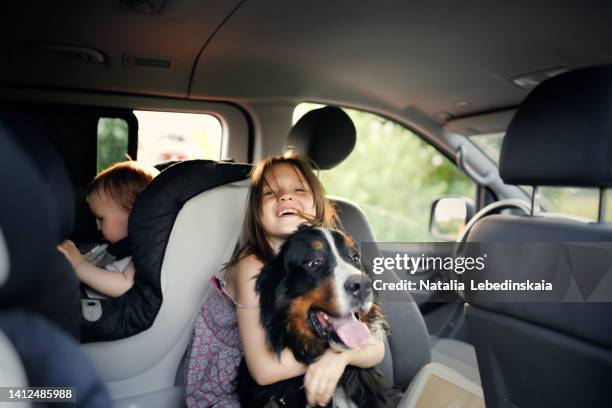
253,240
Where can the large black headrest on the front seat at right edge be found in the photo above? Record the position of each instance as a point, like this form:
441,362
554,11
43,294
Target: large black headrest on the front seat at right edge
561,134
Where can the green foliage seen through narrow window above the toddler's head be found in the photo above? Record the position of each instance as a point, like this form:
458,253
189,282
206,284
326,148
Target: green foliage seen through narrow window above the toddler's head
112,142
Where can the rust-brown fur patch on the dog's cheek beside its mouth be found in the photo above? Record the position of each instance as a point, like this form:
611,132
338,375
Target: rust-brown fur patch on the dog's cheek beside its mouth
298,321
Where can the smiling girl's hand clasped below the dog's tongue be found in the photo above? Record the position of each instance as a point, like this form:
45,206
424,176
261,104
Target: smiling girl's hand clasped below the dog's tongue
323,375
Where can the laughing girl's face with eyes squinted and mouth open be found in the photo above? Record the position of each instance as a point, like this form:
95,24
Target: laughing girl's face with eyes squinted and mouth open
285,195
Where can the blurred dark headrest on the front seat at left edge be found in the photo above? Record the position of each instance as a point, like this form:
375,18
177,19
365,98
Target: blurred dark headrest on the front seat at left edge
40,278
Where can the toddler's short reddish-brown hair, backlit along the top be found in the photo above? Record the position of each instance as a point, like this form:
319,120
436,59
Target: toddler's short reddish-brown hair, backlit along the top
123,182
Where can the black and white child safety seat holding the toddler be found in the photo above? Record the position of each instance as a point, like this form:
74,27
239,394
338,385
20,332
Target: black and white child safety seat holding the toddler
182,230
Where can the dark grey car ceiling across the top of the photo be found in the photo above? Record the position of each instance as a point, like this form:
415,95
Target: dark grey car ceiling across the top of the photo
445,59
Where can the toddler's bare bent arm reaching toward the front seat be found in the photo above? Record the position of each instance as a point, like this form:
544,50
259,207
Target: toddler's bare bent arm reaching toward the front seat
108,283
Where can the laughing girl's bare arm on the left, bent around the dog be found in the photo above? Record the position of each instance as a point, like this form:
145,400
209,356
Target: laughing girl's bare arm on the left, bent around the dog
264,365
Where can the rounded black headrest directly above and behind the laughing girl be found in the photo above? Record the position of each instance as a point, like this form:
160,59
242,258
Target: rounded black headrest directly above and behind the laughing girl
326,135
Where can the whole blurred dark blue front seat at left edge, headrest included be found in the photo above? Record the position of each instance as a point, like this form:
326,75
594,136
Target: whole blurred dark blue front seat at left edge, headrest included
28,238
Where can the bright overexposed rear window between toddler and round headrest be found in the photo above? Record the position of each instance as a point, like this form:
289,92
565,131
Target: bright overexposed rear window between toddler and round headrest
170,136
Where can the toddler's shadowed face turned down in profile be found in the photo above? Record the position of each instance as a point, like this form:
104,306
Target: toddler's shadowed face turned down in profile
112,219
